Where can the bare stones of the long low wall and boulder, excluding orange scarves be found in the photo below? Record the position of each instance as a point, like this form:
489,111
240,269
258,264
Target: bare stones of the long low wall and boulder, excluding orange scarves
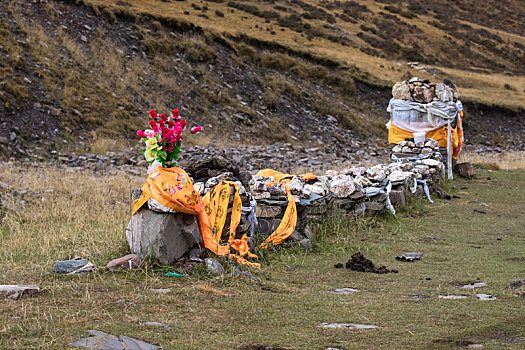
346,194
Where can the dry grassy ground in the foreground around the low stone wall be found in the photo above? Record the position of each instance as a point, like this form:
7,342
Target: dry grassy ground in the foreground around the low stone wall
84,214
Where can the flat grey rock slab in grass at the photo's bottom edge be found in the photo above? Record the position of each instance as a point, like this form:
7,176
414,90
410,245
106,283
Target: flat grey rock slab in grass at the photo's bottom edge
101,340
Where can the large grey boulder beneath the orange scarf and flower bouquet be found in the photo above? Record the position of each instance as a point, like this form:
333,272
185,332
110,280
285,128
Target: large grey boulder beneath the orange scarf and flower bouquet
165,236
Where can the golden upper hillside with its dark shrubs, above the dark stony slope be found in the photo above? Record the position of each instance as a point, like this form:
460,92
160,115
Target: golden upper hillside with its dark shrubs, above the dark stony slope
481,46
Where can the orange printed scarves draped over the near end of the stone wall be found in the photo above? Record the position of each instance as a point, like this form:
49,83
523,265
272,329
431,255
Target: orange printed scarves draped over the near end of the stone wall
172,188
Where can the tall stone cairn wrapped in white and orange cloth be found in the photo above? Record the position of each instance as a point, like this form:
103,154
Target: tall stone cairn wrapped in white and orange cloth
421,111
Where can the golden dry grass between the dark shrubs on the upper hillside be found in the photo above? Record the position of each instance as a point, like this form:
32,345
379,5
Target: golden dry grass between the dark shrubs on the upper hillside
488,88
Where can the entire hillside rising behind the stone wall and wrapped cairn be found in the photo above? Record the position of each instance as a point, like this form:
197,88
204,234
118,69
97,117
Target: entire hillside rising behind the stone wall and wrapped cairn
249,72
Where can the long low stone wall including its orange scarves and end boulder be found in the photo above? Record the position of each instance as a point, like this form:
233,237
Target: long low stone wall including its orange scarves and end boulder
234,214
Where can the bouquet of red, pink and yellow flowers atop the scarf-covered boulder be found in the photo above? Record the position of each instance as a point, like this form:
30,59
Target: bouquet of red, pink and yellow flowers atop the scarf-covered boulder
164,139
